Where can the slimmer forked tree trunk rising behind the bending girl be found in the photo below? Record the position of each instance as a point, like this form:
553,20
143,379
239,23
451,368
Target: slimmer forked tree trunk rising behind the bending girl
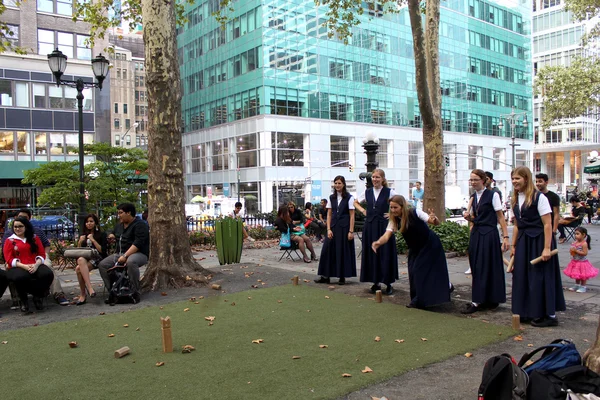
427,73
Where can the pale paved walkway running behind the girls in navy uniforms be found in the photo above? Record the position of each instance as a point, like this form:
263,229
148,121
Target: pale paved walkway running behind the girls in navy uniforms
269,256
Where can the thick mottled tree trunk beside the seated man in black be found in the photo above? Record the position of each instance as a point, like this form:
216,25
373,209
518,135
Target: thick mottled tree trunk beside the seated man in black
171,261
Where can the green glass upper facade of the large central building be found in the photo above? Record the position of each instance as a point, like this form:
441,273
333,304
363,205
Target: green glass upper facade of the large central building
274,57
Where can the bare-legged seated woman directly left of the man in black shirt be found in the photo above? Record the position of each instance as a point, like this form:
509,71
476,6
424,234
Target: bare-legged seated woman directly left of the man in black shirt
93,238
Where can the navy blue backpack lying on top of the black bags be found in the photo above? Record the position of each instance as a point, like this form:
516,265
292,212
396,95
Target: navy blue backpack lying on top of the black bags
559,354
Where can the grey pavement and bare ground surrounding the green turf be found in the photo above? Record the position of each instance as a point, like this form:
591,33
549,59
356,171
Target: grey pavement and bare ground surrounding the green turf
456,378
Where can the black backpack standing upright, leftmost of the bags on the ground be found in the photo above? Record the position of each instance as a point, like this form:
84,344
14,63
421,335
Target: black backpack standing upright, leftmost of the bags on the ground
503,379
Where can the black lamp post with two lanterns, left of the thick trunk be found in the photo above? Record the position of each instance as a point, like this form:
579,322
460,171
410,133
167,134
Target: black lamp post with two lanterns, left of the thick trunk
58,63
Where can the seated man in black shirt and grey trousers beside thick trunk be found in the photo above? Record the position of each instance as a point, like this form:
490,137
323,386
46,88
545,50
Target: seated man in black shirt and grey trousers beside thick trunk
133,245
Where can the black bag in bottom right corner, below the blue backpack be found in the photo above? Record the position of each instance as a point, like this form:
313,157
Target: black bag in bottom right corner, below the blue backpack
545,385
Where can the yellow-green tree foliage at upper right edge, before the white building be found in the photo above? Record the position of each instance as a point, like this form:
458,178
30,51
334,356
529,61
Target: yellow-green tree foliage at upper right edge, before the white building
571,91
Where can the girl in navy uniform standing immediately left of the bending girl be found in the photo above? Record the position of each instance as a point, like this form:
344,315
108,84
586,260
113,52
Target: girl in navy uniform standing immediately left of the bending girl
383,265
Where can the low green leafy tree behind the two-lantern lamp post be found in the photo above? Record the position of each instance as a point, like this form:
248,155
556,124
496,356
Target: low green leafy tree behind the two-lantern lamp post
110,179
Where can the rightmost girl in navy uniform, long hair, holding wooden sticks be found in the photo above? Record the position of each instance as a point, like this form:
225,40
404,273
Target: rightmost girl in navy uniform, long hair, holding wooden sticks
537,289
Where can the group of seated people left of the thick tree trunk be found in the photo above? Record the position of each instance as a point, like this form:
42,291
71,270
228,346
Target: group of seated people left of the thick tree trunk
28,268
